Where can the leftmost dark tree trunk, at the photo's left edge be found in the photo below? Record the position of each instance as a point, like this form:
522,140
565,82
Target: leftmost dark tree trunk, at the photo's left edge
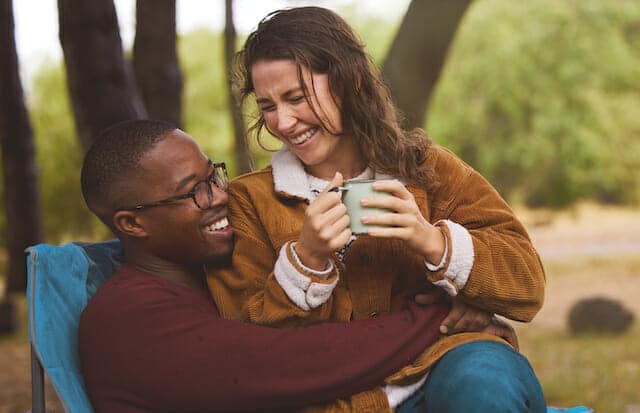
21,197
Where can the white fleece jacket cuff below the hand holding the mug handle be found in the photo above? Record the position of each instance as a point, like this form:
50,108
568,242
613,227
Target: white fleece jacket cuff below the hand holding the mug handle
305,291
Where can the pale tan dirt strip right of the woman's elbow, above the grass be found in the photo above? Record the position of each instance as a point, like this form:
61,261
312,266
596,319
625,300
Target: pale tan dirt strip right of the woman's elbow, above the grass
575,247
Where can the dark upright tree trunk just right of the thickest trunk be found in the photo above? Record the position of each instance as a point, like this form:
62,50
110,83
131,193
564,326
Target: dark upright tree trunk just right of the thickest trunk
155,60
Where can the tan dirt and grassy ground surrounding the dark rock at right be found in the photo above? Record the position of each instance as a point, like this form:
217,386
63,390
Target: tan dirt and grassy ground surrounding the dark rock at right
599,371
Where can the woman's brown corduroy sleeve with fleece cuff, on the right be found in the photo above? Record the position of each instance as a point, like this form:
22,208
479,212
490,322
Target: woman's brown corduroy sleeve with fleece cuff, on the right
490,260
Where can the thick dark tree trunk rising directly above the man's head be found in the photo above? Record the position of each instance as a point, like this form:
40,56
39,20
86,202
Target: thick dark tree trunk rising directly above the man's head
101,85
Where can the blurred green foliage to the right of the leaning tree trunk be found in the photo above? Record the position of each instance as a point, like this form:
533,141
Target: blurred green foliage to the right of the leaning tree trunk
542,98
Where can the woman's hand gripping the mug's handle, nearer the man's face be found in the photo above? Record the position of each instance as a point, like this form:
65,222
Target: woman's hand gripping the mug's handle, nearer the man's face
325,228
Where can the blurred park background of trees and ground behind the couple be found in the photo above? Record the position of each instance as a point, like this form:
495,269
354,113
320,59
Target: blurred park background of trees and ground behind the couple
541,97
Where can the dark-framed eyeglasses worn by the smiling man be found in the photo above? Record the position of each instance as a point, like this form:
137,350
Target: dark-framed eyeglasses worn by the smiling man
202,192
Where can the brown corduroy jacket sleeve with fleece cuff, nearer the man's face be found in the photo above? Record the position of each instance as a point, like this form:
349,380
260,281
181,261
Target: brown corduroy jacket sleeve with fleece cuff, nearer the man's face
263,284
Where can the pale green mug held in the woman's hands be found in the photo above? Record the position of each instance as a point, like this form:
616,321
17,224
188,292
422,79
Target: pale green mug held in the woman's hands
352,192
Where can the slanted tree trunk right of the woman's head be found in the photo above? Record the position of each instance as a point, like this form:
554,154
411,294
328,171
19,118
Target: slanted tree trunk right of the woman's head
418,53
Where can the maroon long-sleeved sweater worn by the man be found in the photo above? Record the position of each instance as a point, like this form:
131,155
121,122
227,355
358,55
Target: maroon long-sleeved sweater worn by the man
149,345
